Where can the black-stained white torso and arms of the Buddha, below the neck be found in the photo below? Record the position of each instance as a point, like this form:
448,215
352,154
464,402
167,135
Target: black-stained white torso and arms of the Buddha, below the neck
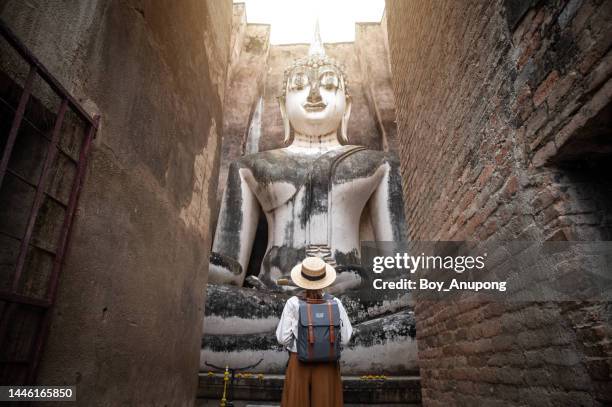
313,206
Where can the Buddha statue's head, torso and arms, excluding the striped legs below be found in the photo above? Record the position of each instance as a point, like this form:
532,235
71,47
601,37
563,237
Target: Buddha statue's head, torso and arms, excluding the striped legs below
313,192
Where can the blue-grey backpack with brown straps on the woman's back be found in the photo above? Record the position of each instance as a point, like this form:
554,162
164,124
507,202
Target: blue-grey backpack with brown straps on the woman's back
318,330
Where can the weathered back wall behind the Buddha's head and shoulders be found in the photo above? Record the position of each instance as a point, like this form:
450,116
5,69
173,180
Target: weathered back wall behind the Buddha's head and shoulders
256,75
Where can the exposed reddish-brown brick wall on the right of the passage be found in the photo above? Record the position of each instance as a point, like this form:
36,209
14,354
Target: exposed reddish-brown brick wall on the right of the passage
503,108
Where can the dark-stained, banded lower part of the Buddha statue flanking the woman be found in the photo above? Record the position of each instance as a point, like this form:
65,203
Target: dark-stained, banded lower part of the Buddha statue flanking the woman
240,326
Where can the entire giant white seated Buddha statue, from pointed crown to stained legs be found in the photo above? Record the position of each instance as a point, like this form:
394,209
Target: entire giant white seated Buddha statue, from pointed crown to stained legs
321,196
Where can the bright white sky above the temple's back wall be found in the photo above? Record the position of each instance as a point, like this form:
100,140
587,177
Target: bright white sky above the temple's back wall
292,21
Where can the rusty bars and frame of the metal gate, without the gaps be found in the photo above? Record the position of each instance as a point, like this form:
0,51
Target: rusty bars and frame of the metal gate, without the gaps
14,298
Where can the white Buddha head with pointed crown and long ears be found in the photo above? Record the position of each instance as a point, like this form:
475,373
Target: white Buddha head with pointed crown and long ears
315,99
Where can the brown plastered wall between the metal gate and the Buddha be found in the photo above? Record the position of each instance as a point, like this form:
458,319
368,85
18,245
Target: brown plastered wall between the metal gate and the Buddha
126,326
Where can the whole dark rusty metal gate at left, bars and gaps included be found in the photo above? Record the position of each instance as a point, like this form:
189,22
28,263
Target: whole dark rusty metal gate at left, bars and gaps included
45,137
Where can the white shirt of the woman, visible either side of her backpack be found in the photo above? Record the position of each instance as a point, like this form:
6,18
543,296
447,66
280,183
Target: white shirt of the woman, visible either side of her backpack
286,331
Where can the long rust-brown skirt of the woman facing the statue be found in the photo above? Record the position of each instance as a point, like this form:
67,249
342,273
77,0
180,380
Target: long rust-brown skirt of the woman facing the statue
312,384
